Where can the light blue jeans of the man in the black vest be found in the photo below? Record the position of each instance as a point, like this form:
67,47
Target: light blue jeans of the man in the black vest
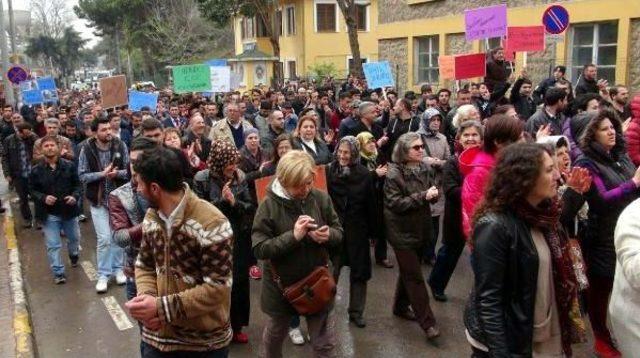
110,256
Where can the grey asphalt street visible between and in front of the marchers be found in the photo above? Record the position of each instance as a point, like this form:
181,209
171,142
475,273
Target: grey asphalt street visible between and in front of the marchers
73,321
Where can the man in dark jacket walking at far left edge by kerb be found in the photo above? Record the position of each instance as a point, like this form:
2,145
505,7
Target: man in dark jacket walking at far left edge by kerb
16,165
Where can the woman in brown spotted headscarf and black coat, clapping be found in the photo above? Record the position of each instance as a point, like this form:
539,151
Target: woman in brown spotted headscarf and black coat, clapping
224,185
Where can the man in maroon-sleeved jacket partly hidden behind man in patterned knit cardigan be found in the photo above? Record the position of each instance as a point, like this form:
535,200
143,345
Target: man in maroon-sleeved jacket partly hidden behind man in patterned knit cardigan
126,211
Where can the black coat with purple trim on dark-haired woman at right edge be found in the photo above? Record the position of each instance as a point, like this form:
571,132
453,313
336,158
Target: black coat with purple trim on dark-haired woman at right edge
612,190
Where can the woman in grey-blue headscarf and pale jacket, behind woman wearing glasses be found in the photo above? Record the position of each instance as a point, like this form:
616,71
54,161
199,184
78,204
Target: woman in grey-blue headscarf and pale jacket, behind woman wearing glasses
436,155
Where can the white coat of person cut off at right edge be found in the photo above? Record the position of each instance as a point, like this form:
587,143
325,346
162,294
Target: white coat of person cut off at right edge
624,306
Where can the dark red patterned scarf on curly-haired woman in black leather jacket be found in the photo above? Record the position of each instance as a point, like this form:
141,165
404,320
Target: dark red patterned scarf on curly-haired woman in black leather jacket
546,218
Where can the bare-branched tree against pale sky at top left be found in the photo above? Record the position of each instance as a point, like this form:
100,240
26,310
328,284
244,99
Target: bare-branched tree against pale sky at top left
50,17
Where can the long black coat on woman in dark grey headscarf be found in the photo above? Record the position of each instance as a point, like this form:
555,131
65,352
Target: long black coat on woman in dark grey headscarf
353,201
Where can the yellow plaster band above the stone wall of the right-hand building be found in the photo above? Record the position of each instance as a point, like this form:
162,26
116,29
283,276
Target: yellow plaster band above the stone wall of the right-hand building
398,10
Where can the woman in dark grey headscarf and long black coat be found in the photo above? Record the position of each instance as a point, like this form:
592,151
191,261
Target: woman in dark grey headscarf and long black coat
350,187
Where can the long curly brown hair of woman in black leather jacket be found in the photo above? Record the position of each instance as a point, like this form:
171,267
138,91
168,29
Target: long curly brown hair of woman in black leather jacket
515,175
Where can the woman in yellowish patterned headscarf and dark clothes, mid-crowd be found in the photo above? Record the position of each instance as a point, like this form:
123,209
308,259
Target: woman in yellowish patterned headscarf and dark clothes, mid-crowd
374,162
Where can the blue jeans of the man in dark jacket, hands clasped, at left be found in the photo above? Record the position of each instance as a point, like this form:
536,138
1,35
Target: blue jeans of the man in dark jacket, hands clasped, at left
51,229
